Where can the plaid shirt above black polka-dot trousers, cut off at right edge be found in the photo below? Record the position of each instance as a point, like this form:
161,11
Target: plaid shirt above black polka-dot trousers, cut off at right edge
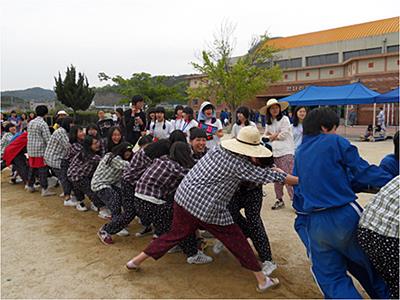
381,215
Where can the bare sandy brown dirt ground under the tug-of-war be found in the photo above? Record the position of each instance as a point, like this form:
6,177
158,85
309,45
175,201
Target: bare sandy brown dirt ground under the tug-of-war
52,251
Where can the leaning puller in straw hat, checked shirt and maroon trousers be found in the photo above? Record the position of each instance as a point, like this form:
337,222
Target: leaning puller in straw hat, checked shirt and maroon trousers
202,197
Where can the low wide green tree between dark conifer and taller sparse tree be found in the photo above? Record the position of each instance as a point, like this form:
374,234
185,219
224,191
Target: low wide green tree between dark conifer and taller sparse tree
154,89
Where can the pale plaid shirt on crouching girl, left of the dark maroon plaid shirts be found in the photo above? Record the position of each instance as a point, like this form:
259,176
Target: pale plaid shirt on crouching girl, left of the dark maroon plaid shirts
110,174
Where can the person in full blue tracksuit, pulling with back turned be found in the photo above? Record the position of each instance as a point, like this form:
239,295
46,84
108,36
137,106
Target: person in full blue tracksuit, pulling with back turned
327,165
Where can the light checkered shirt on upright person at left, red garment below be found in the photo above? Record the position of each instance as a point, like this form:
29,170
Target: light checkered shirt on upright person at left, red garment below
38,137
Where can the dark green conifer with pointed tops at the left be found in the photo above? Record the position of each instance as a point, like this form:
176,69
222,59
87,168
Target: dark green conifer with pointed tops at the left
75,94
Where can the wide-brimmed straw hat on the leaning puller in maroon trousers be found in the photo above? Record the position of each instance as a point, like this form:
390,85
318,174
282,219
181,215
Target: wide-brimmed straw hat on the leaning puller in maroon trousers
247,143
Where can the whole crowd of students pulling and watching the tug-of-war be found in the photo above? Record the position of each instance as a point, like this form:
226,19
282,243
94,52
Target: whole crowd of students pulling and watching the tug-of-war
179,179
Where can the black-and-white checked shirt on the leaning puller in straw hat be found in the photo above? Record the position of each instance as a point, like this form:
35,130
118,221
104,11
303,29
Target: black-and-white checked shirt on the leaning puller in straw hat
206,191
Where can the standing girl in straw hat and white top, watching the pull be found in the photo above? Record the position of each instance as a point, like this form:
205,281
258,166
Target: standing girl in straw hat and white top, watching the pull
279,133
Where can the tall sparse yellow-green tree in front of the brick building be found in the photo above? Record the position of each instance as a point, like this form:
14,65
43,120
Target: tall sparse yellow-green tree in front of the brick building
232,80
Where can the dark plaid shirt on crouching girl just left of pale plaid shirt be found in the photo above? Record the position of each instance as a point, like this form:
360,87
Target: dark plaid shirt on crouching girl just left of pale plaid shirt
80,168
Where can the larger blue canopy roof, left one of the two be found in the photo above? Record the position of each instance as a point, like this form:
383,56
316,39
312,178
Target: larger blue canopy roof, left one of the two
355,93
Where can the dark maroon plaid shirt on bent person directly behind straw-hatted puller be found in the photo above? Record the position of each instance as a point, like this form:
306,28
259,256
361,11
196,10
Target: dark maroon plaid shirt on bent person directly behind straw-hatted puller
161,178
